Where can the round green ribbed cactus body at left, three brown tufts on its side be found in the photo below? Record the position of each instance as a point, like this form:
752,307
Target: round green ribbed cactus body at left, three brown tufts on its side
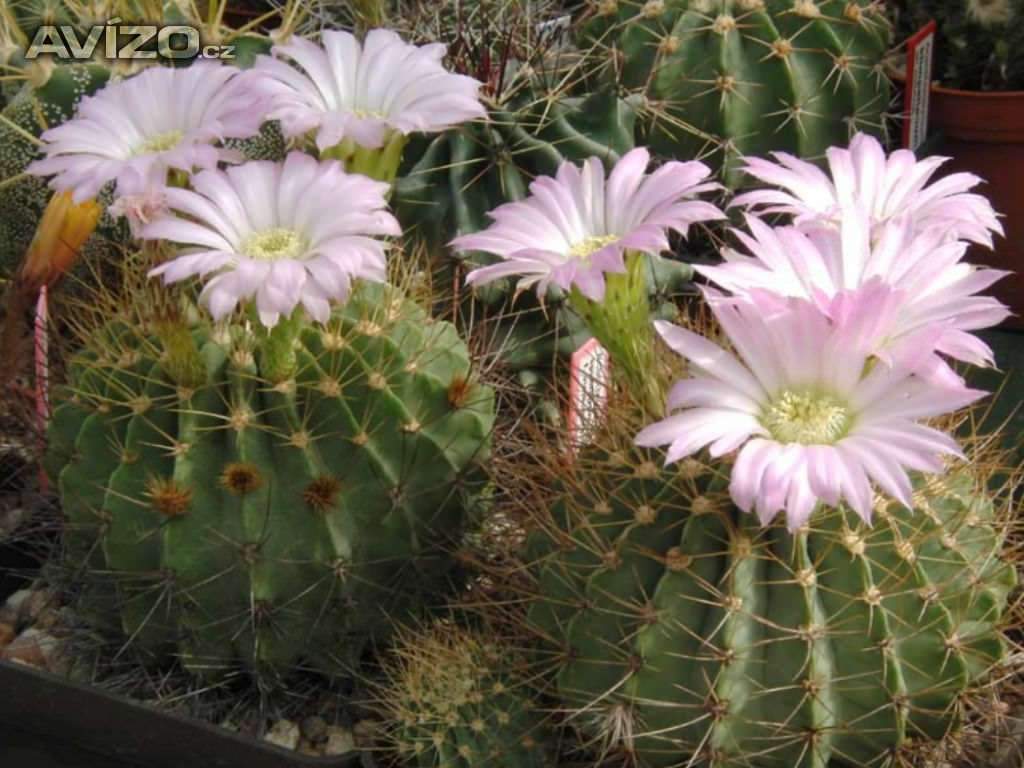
232,514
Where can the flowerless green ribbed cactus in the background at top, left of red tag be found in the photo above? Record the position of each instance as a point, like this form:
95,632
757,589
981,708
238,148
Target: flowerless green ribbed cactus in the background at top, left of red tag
733,78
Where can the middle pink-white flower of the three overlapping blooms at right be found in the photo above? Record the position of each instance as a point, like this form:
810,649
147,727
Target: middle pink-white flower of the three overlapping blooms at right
932,286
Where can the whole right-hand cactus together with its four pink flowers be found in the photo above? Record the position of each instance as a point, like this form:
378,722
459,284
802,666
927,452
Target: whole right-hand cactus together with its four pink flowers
684,622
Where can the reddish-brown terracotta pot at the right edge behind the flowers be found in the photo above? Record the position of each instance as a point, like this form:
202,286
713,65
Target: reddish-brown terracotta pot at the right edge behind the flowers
984,133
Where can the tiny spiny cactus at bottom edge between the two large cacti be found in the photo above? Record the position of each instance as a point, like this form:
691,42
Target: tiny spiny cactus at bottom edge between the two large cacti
454,698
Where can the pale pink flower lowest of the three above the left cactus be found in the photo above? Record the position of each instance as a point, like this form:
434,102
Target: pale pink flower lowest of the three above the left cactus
287,234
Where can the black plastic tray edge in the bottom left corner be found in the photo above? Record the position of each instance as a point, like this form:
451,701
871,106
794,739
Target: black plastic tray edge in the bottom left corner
45,715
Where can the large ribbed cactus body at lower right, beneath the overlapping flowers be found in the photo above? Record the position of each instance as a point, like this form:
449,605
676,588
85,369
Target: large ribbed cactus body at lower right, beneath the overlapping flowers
687,634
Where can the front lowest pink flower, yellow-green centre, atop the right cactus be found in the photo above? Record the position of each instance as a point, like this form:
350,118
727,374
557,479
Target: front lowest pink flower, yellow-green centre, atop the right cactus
814,418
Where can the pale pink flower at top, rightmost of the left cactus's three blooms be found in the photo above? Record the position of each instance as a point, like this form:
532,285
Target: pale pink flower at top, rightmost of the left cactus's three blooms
363,93
